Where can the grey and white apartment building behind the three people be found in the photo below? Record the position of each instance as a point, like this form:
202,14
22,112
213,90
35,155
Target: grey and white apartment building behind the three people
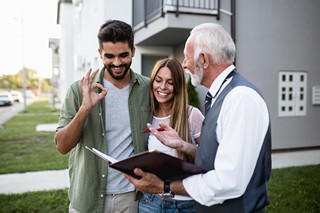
277,49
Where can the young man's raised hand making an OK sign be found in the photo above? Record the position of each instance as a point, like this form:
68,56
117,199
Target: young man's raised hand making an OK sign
89,97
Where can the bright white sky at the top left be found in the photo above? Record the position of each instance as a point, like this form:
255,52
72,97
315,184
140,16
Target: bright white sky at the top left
26,26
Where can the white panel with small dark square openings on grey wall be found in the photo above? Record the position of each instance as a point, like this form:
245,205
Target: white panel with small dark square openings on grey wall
292,93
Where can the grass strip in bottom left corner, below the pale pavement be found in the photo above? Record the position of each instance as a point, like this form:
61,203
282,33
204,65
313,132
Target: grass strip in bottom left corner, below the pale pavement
55,201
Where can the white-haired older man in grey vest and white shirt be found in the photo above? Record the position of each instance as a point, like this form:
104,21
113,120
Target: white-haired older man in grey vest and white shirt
235,141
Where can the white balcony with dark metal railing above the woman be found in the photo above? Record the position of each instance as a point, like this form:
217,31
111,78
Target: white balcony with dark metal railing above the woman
168,22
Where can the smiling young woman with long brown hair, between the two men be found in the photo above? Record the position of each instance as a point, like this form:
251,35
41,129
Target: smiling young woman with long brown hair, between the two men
169,104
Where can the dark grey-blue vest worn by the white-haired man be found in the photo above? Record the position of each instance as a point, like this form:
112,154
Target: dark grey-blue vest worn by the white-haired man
255,197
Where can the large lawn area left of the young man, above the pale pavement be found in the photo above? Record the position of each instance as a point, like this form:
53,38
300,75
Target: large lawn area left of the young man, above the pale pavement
24,149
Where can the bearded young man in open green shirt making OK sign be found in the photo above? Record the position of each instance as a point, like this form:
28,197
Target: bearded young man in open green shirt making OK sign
107,110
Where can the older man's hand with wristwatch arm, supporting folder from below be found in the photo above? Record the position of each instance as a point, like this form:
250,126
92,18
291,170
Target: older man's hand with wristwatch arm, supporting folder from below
148,183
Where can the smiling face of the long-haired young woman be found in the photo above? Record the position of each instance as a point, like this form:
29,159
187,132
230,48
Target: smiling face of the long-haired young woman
162,86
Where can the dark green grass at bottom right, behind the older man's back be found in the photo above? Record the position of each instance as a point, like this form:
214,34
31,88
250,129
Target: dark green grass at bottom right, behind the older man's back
295,189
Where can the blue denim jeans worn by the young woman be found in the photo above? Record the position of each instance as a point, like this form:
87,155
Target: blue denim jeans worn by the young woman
152,203
